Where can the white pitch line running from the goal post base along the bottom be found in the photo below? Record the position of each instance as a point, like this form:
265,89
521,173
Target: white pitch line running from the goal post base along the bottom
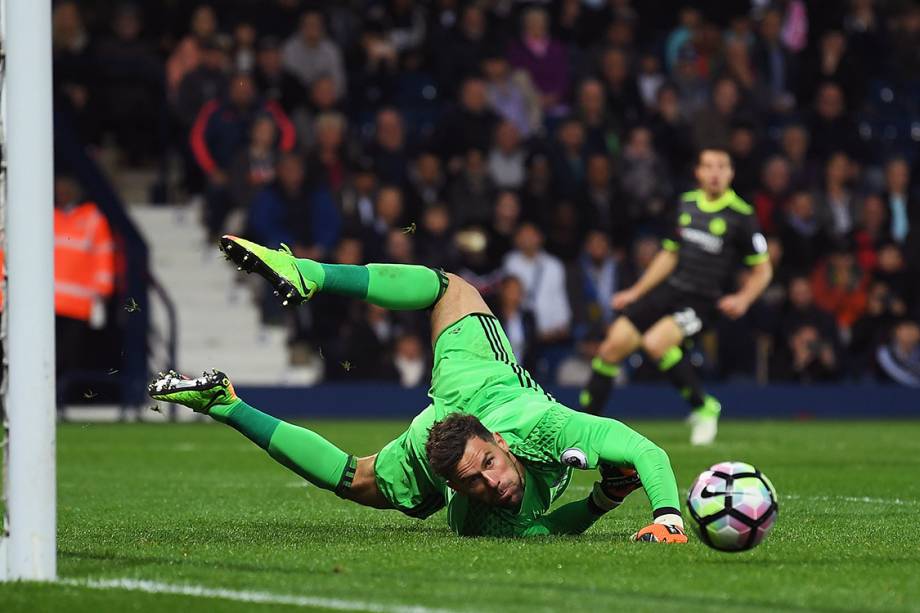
155,587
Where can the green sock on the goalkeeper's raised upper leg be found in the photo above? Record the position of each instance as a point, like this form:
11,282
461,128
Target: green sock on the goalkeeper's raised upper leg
400,287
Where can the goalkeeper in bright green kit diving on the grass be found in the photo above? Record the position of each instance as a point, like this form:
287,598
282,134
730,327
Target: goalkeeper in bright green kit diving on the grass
492,446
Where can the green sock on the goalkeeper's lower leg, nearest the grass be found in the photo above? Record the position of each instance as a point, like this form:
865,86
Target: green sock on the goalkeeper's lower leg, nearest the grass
301,450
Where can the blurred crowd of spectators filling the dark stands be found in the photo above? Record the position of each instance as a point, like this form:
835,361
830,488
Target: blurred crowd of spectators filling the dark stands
537,149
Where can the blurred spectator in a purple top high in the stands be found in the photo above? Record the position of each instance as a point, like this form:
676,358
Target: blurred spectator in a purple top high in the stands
544,59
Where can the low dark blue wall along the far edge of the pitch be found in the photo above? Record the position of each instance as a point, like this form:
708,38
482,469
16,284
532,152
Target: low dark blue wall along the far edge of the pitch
745,401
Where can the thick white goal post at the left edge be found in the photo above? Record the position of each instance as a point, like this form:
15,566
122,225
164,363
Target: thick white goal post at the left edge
29,534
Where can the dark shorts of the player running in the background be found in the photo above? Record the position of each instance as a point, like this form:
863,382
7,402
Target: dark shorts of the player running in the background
691,312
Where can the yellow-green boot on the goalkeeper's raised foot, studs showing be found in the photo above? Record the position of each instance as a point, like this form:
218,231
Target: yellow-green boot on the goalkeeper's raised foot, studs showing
277,266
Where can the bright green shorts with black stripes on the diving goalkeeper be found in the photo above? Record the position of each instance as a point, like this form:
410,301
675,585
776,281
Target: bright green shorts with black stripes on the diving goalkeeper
474,372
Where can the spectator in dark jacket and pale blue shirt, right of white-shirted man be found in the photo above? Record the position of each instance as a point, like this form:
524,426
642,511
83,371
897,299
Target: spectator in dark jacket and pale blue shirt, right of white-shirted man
592,281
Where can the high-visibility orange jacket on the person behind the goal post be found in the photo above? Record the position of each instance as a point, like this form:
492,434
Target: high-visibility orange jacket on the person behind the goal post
84,260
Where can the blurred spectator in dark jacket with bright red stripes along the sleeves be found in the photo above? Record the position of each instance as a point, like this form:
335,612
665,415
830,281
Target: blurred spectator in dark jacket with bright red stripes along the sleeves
222,130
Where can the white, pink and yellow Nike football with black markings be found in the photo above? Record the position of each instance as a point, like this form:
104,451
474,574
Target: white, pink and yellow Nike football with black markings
733,506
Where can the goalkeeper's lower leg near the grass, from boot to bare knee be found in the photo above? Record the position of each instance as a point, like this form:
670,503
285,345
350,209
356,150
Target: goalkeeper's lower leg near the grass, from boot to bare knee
299,449
